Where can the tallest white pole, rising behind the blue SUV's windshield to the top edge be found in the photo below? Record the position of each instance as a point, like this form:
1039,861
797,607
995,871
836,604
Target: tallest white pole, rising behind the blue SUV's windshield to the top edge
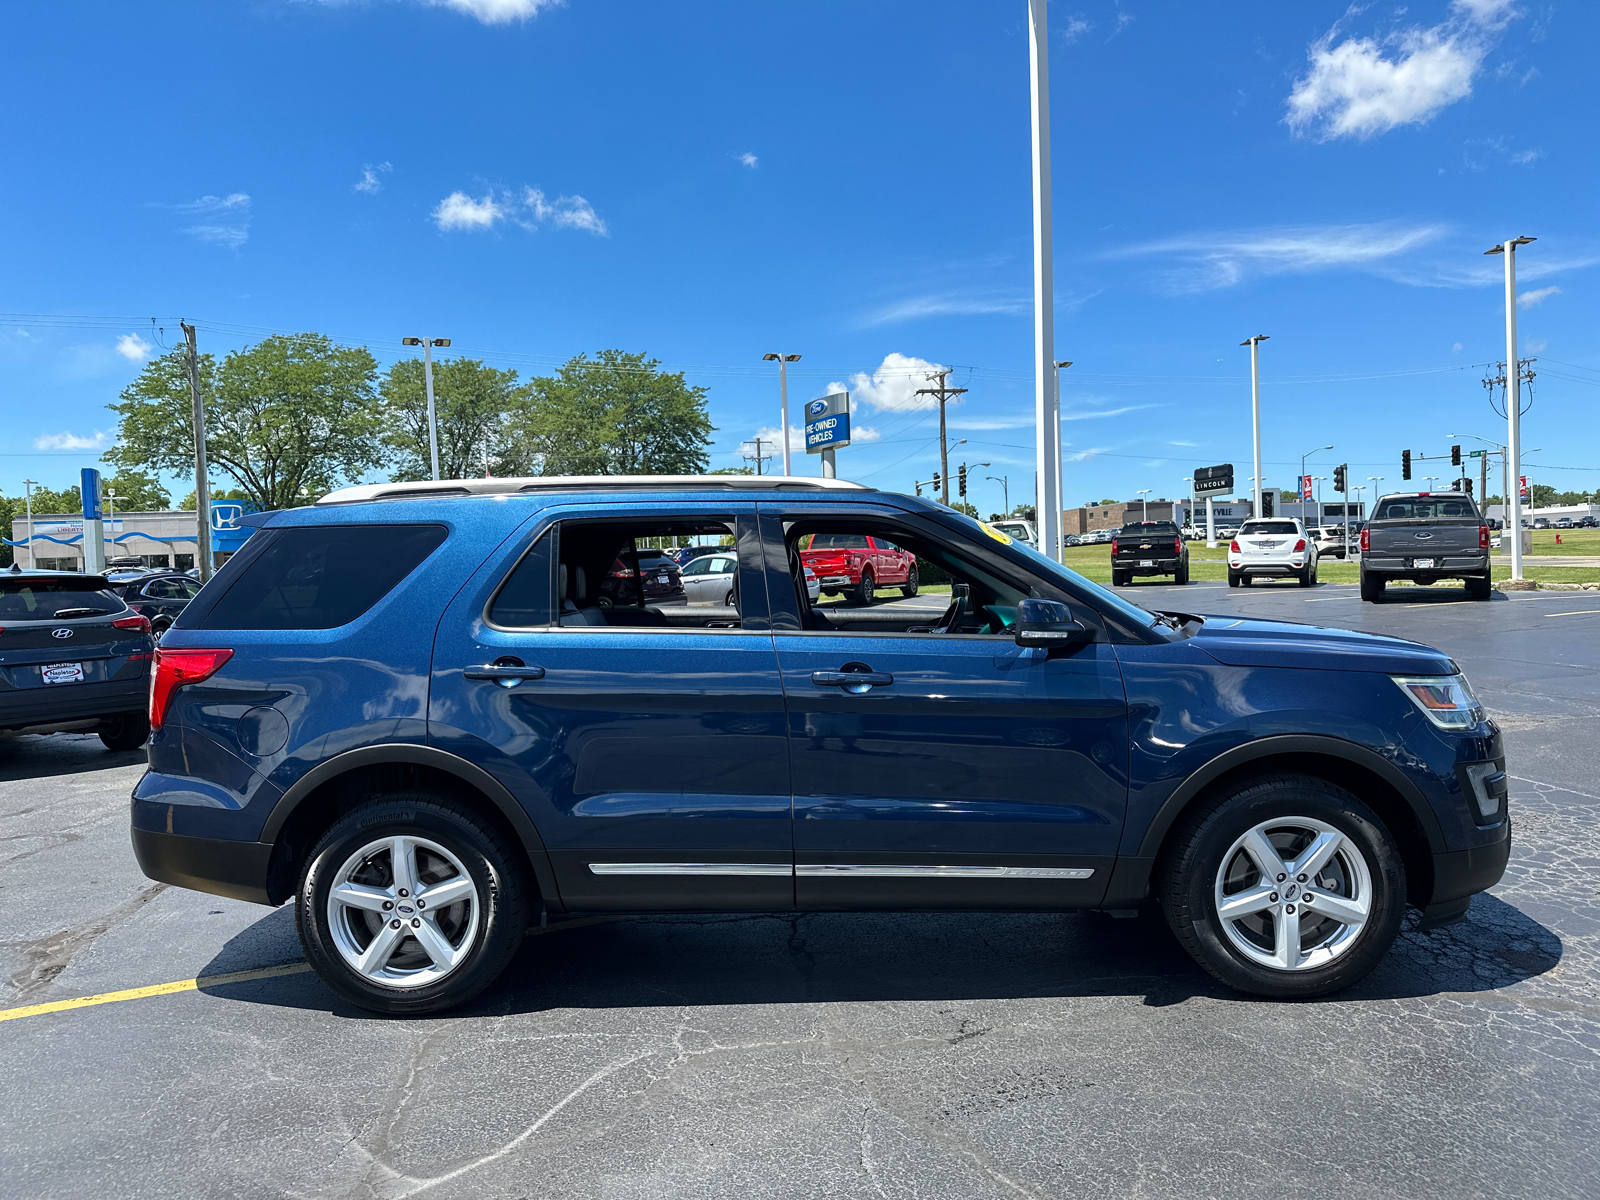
1047,409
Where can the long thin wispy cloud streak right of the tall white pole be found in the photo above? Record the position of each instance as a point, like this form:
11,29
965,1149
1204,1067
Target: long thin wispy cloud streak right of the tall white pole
1223,260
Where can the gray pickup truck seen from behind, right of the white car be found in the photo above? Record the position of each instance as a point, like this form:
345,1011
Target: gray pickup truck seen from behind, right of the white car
1426,537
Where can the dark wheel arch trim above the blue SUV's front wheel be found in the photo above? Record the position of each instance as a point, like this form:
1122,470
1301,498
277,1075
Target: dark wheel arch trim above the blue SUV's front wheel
1367,775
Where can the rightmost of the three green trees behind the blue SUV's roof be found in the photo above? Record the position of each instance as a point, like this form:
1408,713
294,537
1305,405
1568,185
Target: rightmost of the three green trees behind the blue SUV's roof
614,415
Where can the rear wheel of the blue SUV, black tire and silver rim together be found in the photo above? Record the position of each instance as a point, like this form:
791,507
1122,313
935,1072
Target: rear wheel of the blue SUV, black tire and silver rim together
412,905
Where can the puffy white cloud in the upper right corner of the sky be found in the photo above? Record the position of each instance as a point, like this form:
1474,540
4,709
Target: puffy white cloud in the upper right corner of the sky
1353,90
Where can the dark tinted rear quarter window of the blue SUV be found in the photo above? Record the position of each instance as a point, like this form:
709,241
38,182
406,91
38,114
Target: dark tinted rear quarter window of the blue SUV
322,577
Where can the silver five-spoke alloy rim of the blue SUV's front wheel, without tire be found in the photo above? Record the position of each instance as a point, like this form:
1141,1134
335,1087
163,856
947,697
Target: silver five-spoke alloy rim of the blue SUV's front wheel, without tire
1294,894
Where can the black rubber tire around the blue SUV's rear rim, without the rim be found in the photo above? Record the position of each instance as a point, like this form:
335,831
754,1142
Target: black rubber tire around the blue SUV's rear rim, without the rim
494,866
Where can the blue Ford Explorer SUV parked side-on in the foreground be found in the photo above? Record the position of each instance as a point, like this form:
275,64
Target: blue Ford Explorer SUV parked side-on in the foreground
406,710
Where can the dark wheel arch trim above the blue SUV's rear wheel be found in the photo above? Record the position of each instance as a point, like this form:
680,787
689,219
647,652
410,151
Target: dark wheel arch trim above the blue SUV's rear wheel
319,798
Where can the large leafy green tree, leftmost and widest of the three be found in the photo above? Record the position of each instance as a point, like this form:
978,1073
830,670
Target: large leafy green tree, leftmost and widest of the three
287,418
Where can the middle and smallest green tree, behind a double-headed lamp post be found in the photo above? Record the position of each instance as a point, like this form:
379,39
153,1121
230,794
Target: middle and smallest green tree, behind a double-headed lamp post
474,407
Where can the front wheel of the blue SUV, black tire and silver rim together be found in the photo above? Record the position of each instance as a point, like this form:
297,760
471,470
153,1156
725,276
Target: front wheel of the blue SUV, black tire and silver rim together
1286,887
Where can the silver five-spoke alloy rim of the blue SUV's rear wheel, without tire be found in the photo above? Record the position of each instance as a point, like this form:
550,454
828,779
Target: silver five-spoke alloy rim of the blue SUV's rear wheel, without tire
404,913
